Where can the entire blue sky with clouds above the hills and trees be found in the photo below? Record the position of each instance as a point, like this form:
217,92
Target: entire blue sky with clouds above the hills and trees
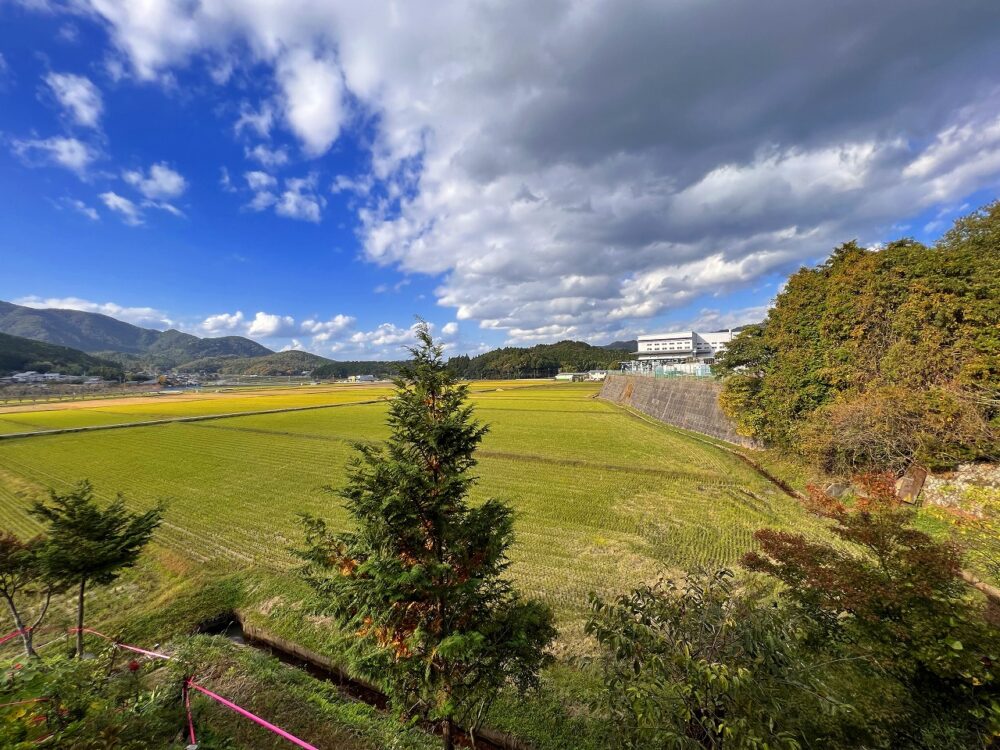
315,174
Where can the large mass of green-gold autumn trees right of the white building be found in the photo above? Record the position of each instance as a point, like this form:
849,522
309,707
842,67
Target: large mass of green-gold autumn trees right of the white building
879,357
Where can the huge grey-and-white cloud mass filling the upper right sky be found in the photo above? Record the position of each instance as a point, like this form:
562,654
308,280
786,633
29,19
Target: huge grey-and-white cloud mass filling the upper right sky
619,161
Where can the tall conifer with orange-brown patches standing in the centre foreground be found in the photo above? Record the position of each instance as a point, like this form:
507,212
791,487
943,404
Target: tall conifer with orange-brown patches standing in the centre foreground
422,574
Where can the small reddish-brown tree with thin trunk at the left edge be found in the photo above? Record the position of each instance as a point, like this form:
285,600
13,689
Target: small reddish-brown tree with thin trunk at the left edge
22,576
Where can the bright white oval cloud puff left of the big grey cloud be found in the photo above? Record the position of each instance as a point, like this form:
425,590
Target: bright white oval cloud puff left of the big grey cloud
313,91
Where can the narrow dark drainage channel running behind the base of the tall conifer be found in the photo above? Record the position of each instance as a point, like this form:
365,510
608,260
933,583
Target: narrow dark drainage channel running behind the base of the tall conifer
231,626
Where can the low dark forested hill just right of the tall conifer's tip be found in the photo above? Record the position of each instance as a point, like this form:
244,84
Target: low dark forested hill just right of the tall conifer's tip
543,360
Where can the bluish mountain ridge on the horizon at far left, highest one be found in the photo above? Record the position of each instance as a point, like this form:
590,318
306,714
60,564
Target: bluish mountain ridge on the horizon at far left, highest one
96,333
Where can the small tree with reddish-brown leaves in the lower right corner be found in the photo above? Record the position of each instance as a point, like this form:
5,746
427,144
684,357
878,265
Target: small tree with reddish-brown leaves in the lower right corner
890,597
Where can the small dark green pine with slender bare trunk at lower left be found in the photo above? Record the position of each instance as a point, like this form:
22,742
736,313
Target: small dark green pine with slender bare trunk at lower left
88,544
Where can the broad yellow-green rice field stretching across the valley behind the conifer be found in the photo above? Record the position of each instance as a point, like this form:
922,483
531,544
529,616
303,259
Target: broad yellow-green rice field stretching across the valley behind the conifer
603,500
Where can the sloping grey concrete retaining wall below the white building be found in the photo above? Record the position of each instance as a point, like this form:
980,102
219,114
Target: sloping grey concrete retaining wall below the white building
689,403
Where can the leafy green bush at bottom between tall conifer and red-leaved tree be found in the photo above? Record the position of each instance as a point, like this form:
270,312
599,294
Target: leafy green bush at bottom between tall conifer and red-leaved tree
702,662
